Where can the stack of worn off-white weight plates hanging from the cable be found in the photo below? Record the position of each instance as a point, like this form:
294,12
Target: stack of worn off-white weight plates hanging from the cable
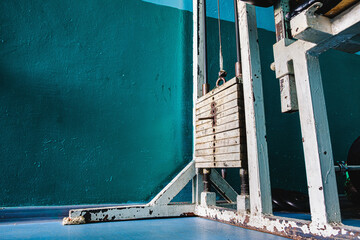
220,127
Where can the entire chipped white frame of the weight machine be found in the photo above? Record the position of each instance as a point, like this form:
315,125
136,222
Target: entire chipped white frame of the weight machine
297,67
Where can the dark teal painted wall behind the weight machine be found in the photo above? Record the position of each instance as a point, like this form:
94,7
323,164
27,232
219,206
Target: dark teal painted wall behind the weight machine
96,101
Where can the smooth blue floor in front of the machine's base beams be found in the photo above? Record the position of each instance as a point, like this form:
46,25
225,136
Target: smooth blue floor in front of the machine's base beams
171,228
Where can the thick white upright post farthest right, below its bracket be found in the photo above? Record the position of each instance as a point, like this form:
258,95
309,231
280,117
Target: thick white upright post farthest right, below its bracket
319,161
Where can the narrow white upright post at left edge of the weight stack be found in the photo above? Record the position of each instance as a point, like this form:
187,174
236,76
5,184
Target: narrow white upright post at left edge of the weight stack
198,80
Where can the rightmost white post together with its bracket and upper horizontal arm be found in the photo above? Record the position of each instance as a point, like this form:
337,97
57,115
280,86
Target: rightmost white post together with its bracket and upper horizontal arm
316,34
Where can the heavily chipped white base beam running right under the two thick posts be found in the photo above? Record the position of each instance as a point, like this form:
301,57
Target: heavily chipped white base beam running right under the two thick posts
286,227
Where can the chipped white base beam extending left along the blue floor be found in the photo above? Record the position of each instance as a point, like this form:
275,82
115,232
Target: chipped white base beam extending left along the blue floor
133,212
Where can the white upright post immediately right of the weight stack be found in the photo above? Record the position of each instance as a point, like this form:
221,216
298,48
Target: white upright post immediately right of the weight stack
259,179
